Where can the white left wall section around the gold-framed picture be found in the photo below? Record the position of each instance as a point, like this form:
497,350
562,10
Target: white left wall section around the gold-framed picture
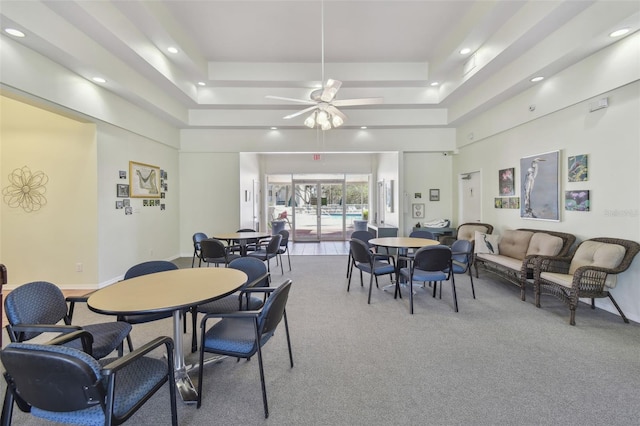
149,233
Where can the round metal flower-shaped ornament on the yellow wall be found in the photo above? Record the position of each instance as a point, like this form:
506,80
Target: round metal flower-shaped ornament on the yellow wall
26,190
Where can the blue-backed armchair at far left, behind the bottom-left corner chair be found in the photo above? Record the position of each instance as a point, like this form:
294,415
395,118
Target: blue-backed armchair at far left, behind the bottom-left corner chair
38,307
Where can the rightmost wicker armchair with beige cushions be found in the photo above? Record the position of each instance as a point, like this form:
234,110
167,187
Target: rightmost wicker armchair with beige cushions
589,272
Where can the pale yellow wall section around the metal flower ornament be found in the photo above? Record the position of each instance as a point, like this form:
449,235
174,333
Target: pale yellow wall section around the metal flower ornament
46,244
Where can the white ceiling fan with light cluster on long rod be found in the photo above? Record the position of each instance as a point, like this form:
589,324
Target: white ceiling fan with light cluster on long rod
324,105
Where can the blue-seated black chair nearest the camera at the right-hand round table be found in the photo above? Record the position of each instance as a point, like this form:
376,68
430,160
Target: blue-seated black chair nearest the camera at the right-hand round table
430,264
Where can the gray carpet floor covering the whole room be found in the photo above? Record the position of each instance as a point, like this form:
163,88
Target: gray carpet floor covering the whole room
499,361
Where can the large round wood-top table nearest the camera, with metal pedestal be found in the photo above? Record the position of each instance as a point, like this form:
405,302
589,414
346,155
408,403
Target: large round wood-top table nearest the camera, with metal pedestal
169,291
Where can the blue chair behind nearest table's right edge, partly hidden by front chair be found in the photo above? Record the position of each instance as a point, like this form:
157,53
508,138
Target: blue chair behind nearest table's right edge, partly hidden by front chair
257,276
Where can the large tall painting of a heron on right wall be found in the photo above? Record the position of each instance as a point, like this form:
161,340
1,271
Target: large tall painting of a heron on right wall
540,193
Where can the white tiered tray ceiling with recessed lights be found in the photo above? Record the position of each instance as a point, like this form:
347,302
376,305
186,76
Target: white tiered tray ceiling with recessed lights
245,50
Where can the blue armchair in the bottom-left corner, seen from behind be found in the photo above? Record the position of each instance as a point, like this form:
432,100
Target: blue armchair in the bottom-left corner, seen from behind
66,385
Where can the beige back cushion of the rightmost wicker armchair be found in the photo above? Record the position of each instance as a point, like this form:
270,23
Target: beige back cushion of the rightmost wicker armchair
595,253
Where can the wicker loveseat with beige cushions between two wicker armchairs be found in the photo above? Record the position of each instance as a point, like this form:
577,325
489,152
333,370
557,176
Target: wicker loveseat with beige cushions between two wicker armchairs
517,251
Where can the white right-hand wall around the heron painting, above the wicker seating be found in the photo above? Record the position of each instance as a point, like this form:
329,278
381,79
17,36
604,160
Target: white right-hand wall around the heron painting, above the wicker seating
611,138
